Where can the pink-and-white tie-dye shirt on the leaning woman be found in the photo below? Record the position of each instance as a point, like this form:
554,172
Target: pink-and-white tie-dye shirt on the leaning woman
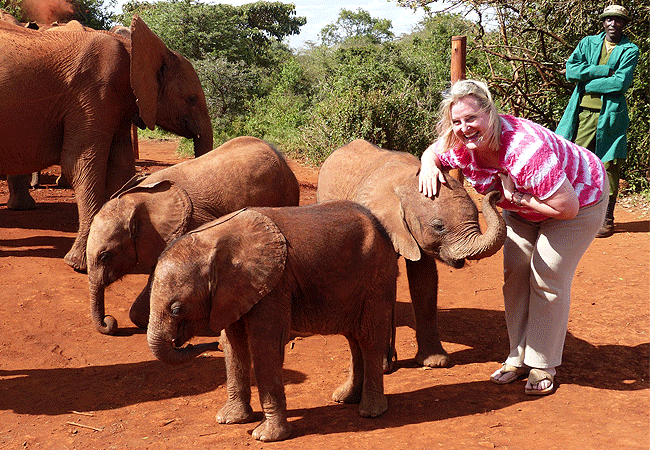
537,160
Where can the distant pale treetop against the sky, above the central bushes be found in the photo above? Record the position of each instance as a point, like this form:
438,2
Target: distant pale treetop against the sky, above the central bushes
356,26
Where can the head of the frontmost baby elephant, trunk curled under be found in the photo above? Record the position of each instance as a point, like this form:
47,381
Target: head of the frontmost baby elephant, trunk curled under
209,278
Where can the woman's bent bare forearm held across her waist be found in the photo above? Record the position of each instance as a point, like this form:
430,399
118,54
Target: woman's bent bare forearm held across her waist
563,204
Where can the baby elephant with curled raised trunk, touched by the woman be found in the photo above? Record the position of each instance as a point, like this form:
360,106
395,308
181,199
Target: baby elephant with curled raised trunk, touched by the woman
421,229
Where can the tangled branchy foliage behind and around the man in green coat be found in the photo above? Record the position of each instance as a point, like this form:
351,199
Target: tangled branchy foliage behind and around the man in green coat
526,44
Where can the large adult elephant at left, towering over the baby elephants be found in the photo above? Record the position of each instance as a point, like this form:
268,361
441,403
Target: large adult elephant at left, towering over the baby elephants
69,98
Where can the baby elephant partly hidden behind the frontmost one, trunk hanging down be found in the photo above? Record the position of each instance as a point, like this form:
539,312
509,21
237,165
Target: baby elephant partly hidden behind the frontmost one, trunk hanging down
134,227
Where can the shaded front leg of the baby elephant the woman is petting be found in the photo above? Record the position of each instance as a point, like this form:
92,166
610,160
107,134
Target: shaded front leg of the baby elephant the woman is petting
423,286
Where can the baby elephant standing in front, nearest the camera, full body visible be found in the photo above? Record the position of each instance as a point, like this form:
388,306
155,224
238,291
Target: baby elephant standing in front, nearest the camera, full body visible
258,273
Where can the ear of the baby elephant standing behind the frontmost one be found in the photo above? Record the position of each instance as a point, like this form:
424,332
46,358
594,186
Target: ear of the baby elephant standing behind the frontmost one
168,208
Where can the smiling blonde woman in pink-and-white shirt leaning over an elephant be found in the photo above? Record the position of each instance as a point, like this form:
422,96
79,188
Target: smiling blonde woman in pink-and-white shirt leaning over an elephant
554,200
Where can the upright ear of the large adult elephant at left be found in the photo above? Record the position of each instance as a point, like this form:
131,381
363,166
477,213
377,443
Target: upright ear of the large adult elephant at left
148,54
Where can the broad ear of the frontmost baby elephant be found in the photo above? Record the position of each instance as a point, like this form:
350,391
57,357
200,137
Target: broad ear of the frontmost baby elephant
249,260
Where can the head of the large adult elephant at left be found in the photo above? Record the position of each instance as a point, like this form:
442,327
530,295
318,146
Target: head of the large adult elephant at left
167,88
